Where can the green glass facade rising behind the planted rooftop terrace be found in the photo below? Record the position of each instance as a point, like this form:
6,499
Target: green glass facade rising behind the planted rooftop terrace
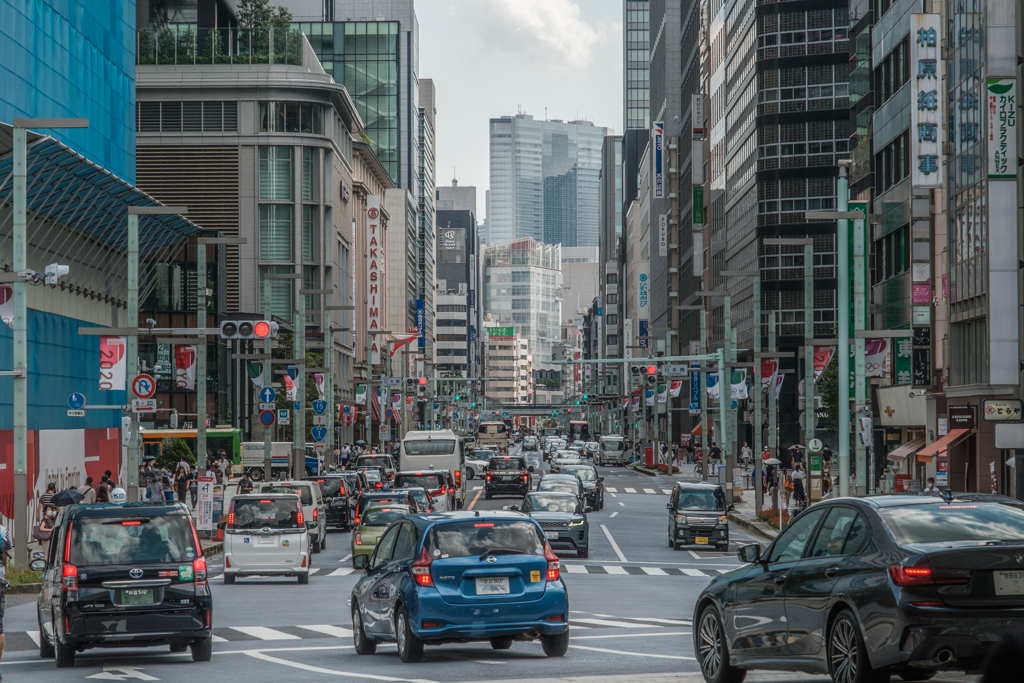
364,58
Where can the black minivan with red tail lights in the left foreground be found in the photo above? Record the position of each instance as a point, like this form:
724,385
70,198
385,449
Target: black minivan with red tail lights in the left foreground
125,576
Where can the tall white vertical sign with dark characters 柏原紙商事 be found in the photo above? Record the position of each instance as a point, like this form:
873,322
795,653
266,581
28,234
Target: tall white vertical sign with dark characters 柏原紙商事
927,102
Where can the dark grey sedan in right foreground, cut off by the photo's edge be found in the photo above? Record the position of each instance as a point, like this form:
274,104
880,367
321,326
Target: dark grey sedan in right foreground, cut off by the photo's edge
862,589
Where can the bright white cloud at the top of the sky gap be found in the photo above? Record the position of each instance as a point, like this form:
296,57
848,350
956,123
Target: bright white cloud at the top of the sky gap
547,31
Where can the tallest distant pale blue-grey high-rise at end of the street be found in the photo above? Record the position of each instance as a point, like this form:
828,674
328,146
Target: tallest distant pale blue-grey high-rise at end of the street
545,179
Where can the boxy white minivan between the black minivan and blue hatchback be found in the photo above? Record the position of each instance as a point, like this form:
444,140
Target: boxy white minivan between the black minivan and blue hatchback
267,535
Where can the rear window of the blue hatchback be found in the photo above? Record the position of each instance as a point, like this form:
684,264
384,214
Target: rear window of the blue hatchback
467,539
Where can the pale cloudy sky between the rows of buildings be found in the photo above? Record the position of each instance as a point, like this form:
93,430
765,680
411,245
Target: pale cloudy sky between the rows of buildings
497,58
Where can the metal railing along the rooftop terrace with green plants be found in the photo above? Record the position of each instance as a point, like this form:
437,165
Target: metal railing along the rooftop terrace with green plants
189,46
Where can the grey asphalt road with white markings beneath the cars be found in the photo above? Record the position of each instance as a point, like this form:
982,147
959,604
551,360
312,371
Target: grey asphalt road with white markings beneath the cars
631,605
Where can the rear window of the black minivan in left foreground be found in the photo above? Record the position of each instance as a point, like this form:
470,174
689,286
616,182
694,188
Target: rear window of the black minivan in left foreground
132,541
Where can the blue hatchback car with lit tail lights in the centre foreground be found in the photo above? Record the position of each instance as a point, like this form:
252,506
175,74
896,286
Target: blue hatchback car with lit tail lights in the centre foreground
457,578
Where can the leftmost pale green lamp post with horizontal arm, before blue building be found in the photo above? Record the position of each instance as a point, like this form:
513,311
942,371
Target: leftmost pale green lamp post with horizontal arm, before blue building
21,327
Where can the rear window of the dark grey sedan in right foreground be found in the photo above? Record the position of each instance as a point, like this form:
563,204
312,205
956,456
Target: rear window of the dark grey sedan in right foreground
956,522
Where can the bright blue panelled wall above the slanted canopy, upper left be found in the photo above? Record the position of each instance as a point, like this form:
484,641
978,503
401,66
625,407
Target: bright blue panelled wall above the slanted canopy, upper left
73,59
